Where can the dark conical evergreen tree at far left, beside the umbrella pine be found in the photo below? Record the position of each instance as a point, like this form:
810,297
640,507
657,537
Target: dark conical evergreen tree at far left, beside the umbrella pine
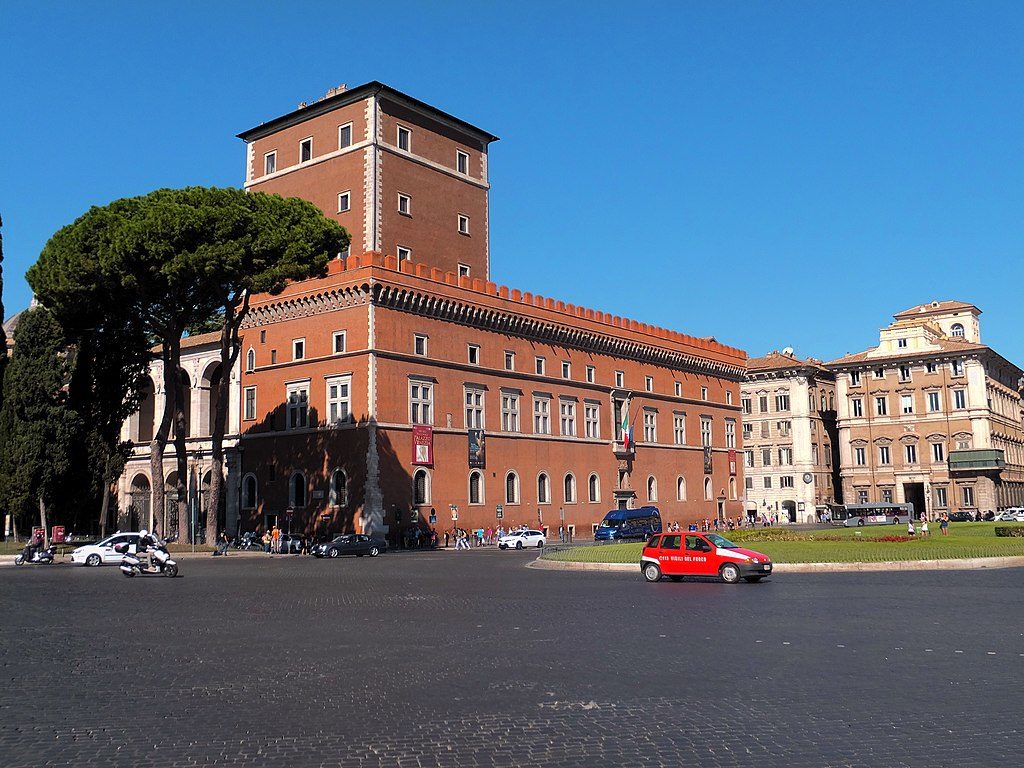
38,426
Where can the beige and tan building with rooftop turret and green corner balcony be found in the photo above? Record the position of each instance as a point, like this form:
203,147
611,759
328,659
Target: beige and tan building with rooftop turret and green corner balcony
931,416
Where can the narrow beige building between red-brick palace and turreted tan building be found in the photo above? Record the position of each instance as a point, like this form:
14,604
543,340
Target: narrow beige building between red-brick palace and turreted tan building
790,438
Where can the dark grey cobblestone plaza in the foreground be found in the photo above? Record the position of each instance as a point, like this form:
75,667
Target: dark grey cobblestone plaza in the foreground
474,660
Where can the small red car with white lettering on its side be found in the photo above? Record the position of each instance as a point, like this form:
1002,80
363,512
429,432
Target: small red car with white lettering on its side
677,556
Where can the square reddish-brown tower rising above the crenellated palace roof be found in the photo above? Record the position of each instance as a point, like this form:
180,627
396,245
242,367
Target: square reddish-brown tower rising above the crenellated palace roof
403,178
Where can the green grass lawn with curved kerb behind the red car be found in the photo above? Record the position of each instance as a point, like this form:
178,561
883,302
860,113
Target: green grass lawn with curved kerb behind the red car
841,545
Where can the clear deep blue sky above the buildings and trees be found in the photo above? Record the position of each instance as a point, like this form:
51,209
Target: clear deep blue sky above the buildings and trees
774,174
